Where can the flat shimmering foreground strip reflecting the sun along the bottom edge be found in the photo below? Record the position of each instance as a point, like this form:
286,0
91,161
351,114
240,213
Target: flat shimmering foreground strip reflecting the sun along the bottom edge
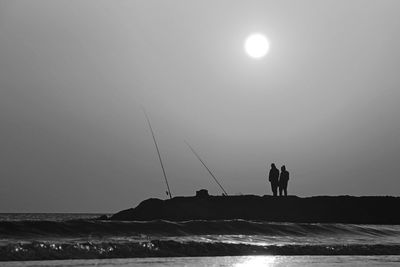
235,261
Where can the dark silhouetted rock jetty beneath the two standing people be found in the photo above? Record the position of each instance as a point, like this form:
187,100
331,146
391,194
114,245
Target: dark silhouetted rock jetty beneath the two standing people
317,209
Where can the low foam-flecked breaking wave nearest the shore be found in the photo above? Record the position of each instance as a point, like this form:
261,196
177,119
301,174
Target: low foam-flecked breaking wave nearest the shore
170,248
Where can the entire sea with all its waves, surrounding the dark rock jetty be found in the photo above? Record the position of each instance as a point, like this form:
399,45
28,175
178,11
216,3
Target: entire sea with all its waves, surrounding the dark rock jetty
65,239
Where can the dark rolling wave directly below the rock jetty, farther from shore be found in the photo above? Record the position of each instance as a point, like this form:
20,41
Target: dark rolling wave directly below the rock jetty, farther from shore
81,228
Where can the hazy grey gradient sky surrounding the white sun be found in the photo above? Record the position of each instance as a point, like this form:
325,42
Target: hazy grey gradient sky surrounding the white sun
76,75
